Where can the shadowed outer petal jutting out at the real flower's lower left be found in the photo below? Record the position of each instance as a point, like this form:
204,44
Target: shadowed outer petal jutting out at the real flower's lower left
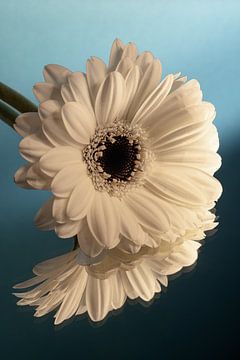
43,219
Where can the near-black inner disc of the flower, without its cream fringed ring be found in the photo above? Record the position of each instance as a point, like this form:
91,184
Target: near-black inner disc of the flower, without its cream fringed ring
118,159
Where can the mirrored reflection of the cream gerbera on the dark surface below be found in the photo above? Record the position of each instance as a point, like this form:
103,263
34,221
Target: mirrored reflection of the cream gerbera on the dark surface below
104,286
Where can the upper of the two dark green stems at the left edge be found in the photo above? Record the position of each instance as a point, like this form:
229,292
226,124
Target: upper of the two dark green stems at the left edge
16,100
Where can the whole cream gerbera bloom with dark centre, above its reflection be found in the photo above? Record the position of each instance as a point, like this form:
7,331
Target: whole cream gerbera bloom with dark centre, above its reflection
128,157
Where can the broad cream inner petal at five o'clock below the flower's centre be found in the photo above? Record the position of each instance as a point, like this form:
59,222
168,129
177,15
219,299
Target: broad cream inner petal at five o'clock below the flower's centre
149,210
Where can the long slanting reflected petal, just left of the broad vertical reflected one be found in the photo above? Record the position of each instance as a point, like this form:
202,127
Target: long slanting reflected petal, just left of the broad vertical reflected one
73,296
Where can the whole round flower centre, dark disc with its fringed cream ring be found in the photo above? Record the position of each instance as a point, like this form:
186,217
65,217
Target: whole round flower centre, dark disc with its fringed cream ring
116,158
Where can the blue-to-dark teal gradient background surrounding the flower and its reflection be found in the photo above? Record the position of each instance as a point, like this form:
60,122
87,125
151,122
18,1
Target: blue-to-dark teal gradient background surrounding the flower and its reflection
198,316
